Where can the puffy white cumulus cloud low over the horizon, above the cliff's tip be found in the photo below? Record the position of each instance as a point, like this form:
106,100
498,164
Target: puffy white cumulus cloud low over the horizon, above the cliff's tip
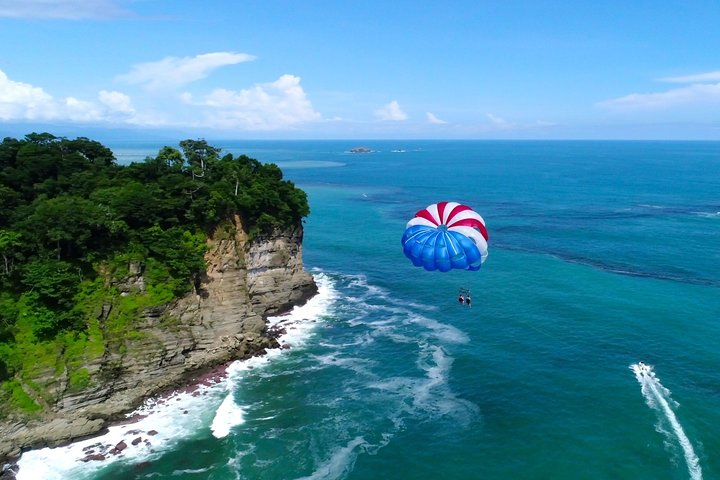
268,106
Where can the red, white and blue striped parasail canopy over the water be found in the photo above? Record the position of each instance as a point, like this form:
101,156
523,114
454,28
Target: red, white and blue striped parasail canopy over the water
445,236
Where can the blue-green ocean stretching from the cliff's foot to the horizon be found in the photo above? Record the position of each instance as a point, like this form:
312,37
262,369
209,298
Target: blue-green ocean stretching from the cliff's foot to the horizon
601,255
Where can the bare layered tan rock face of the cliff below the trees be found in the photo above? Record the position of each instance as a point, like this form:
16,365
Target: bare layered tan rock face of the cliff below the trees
223,320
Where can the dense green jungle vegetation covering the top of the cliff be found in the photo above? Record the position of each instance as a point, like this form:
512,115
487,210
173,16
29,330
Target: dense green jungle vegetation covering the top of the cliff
72,220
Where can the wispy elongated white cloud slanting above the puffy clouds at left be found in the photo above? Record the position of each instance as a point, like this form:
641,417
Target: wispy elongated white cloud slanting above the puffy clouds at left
173,72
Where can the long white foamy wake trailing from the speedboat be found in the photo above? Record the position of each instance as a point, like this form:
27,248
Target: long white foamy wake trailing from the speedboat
658,398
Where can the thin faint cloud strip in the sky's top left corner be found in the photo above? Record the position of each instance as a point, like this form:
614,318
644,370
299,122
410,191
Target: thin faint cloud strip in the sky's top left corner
61,9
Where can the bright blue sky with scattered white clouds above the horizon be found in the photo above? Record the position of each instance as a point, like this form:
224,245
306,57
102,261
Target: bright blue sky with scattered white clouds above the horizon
370,69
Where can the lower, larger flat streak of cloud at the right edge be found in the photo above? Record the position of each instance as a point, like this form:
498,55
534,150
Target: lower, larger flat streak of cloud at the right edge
692,94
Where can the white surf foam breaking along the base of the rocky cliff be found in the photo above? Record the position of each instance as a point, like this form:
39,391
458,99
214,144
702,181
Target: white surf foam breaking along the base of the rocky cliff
182,414
